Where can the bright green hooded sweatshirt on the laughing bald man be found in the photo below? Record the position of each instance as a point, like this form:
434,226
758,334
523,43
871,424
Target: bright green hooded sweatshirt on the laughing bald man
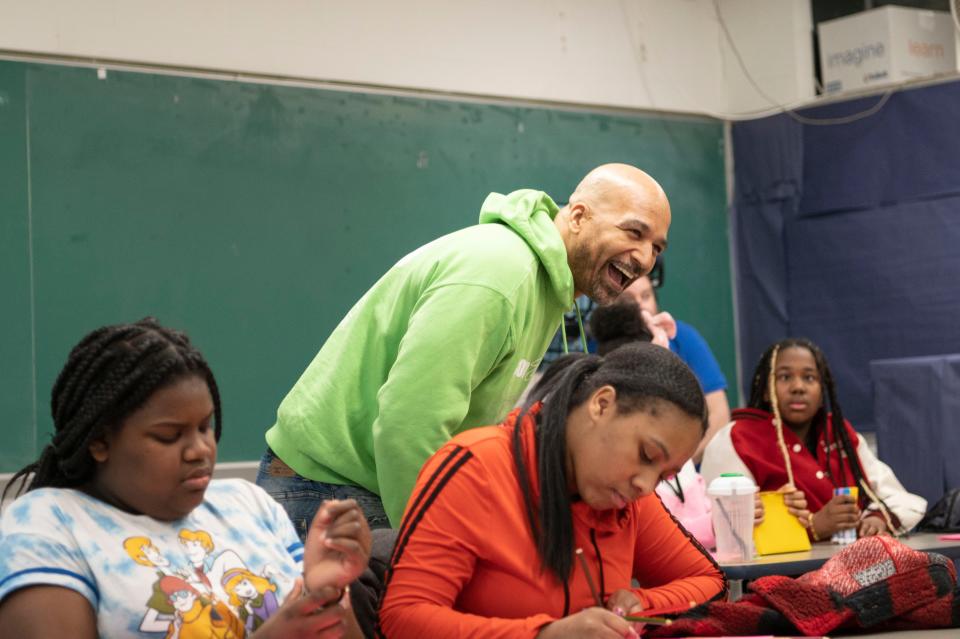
447,339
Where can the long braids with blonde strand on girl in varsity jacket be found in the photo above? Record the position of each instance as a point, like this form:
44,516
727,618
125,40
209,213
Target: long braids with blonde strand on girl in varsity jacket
838,438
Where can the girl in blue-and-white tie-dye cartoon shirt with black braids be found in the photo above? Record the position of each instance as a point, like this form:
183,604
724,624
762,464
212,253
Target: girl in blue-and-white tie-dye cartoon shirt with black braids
127,478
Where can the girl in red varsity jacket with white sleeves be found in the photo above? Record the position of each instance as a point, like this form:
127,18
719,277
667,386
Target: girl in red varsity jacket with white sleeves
801,445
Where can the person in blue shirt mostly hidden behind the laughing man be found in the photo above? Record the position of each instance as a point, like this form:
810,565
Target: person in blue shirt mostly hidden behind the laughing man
690,346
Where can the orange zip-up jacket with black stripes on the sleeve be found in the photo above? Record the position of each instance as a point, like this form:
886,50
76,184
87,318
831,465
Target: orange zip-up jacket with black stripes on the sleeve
465,564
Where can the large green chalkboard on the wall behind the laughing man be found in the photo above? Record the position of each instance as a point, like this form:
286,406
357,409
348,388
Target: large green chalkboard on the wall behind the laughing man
253,216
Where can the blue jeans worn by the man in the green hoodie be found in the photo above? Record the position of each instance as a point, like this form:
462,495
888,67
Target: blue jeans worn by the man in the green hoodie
301,497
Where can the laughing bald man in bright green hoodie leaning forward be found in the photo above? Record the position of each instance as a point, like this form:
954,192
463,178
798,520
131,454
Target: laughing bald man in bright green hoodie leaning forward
449,338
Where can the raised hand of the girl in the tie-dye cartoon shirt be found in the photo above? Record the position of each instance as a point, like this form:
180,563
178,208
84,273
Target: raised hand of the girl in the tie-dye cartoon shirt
338,546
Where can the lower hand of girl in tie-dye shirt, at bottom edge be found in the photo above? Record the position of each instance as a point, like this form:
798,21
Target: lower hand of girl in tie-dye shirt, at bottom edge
315,615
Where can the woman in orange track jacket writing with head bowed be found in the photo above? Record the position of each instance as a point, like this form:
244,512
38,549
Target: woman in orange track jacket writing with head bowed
489,538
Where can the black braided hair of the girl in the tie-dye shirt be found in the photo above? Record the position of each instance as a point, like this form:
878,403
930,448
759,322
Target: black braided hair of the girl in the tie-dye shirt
109,375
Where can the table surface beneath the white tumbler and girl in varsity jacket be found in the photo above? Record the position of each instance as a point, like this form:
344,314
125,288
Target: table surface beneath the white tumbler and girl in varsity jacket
797,563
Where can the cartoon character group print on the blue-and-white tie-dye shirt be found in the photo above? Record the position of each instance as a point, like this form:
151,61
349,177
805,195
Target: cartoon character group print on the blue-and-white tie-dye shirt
203,592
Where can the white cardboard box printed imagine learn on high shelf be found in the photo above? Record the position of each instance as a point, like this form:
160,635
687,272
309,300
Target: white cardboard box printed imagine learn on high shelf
886,45
